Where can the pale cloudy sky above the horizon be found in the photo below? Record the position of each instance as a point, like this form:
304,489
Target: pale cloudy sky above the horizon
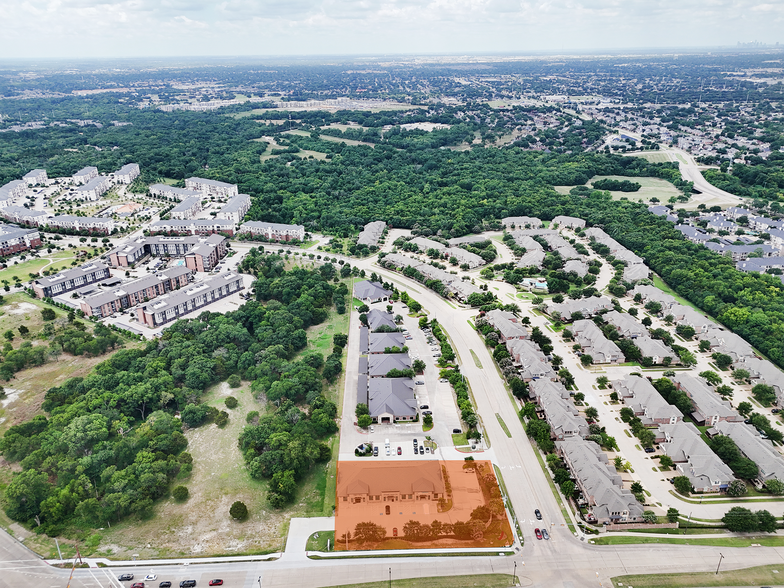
141,28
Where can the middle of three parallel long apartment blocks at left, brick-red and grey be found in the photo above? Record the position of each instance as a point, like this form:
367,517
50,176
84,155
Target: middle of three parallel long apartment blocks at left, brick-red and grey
135,292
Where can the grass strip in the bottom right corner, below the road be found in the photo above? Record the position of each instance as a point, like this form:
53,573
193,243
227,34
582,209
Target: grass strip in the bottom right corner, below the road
757,576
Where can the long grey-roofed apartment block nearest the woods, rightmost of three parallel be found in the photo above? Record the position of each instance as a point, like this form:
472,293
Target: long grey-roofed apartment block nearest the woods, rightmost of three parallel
174,305
